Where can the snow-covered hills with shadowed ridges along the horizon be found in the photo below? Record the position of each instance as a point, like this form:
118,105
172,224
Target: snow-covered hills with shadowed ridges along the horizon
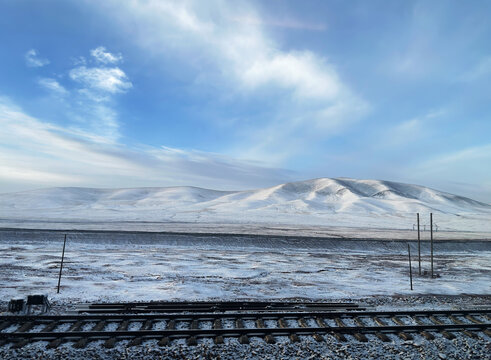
325,201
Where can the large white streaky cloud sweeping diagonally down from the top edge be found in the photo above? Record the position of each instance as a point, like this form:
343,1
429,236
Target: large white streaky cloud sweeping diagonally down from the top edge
239,60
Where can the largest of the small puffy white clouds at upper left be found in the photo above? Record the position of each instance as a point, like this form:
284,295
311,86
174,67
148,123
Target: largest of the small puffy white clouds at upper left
111,80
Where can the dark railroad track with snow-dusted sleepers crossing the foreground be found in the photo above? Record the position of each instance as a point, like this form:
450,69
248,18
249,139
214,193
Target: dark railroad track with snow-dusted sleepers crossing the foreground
362,326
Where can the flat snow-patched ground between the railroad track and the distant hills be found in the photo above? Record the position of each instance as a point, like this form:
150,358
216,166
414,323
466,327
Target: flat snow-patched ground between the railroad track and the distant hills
104,266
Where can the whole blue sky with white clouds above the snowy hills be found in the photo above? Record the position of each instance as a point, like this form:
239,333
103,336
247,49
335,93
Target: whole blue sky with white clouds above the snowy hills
244,94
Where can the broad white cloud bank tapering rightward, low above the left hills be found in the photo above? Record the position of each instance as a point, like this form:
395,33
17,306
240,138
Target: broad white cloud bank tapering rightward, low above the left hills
35,153
